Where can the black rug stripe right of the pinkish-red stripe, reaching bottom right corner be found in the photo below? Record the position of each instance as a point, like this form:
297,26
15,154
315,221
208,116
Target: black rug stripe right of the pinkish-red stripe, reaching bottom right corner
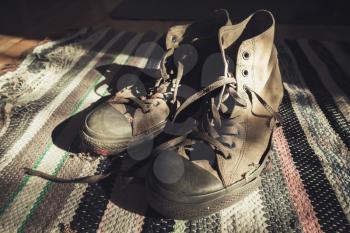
326,205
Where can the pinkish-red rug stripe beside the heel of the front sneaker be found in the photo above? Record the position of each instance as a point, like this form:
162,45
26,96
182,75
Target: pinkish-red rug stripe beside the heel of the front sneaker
305,211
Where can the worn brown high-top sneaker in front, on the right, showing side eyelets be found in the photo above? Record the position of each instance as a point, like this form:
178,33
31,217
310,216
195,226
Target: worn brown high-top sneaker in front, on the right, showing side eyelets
220,162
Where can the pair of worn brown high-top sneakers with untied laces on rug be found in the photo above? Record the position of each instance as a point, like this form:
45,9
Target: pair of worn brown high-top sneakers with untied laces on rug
214,107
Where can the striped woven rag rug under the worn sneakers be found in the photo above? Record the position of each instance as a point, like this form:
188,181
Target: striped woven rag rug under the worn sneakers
306,188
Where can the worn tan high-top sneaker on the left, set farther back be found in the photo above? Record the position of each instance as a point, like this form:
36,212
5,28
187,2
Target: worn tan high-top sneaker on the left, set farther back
129,118
